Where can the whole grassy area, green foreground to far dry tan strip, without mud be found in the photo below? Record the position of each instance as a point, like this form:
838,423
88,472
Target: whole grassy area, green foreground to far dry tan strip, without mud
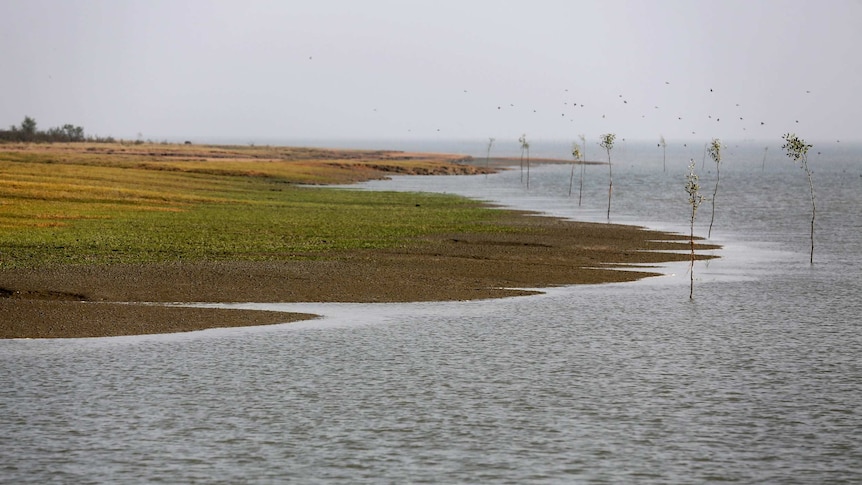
98,203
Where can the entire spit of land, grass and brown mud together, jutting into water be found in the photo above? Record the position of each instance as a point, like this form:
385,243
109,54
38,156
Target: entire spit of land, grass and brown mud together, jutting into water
97,239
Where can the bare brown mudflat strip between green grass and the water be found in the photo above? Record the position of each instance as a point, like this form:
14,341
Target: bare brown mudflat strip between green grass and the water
91,301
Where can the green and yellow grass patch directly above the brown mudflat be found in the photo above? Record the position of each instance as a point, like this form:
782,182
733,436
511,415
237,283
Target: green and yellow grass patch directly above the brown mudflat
78,213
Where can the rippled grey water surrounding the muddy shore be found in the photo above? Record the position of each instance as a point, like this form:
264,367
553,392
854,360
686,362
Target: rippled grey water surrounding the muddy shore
758,379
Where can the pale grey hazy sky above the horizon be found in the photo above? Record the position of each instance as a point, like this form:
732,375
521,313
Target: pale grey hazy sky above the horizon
402,69
